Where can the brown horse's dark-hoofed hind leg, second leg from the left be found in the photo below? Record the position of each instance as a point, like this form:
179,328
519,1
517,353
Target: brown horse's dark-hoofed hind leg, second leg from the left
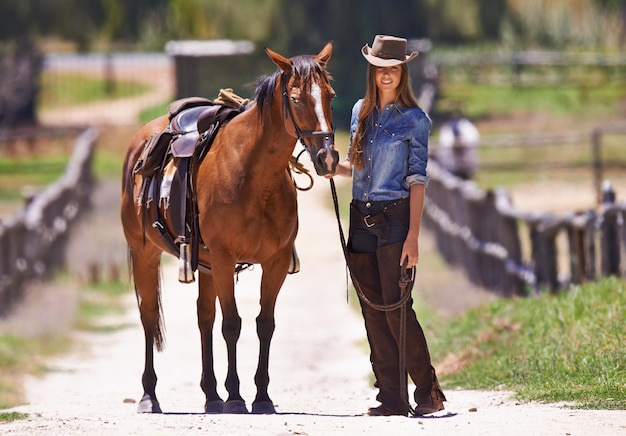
206,321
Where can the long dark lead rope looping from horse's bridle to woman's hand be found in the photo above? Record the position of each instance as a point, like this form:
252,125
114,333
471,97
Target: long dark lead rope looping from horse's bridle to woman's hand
406,278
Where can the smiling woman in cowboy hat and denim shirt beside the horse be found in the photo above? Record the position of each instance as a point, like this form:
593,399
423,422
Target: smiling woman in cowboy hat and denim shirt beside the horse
387,161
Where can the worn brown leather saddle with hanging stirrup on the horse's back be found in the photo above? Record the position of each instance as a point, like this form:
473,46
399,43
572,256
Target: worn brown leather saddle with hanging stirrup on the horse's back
167,164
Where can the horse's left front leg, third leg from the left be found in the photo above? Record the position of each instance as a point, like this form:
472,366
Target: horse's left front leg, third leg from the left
231,329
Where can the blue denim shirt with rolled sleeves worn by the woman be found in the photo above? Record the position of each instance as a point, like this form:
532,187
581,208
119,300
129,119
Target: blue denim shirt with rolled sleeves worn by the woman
395,153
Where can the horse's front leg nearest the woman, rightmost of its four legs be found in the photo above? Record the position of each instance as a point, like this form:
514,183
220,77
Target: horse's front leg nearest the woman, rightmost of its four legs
271,282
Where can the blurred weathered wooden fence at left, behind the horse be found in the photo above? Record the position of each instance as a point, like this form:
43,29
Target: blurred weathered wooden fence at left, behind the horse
32,241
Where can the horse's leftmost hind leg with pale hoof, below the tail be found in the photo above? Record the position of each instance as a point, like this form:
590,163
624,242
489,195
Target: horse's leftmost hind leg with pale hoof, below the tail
145,268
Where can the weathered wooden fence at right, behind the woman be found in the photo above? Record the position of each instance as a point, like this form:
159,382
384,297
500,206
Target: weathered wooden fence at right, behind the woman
512,252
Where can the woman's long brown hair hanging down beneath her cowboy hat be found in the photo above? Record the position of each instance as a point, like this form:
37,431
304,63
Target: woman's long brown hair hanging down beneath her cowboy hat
406,98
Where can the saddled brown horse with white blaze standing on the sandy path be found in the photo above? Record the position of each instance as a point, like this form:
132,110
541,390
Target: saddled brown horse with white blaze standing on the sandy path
246,203
